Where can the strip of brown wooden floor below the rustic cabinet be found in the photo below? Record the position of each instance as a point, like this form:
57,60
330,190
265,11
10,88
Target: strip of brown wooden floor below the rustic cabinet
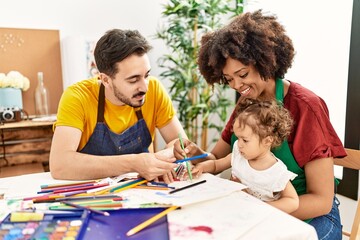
21,169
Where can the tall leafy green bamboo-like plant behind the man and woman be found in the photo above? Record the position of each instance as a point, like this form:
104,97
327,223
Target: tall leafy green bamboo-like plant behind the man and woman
186,22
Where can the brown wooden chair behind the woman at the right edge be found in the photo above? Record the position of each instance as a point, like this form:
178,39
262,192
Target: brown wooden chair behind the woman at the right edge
352,160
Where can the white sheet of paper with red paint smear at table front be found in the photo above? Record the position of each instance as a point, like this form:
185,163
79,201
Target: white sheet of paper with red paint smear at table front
197,221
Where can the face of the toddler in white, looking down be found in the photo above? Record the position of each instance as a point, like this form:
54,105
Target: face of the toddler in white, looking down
249,143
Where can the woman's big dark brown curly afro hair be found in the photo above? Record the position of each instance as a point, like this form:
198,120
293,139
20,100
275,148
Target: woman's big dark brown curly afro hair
251,38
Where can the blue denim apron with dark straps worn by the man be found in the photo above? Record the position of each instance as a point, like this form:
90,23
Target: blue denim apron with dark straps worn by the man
103,141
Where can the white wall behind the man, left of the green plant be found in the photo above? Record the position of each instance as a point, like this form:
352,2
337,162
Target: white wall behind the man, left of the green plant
87,20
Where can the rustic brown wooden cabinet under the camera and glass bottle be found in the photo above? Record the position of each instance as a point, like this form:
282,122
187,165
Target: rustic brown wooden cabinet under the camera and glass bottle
25,142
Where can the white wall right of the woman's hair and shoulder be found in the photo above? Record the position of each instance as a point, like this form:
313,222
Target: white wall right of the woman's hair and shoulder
321,34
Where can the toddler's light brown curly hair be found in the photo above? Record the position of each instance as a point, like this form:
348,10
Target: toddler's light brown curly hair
265,118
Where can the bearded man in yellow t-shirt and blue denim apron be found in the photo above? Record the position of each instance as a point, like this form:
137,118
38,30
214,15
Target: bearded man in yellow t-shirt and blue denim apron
105,125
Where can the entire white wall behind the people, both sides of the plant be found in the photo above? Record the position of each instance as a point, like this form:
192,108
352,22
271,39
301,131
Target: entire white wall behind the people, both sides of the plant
320,30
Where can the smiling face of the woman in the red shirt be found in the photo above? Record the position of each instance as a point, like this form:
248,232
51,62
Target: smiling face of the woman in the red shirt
244,79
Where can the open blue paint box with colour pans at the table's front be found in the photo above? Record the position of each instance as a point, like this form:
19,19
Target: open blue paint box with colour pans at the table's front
87,225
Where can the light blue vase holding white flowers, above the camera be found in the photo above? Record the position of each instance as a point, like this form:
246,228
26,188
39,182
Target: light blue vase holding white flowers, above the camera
10,98
